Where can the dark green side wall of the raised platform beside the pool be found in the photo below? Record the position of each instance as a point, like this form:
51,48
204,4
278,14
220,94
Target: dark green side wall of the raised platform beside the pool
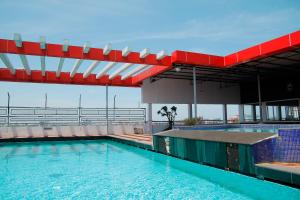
205,152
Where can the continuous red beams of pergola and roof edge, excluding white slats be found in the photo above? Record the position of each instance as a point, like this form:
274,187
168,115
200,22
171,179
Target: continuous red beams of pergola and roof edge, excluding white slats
275,46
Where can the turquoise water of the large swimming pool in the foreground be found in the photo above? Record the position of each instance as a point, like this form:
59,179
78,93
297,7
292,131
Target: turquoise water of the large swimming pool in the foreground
108,170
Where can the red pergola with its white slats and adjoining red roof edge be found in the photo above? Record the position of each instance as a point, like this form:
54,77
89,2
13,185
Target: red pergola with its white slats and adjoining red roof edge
149,65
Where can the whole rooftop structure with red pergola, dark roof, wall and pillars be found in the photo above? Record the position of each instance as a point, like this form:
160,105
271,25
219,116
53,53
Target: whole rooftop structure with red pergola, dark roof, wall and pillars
265,76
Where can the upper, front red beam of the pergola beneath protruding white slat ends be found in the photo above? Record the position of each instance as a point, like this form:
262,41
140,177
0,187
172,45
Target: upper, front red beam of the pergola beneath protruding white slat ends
56,50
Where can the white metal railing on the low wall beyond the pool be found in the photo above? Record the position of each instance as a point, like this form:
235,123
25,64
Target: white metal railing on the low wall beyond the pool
66,116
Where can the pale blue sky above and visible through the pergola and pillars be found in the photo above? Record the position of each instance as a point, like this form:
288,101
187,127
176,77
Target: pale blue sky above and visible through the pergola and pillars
214,27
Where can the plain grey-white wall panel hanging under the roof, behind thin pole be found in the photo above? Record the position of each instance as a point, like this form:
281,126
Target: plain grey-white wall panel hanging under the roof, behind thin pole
181,92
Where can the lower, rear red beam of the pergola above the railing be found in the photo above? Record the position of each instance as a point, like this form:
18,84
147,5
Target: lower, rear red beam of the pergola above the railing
50,77
